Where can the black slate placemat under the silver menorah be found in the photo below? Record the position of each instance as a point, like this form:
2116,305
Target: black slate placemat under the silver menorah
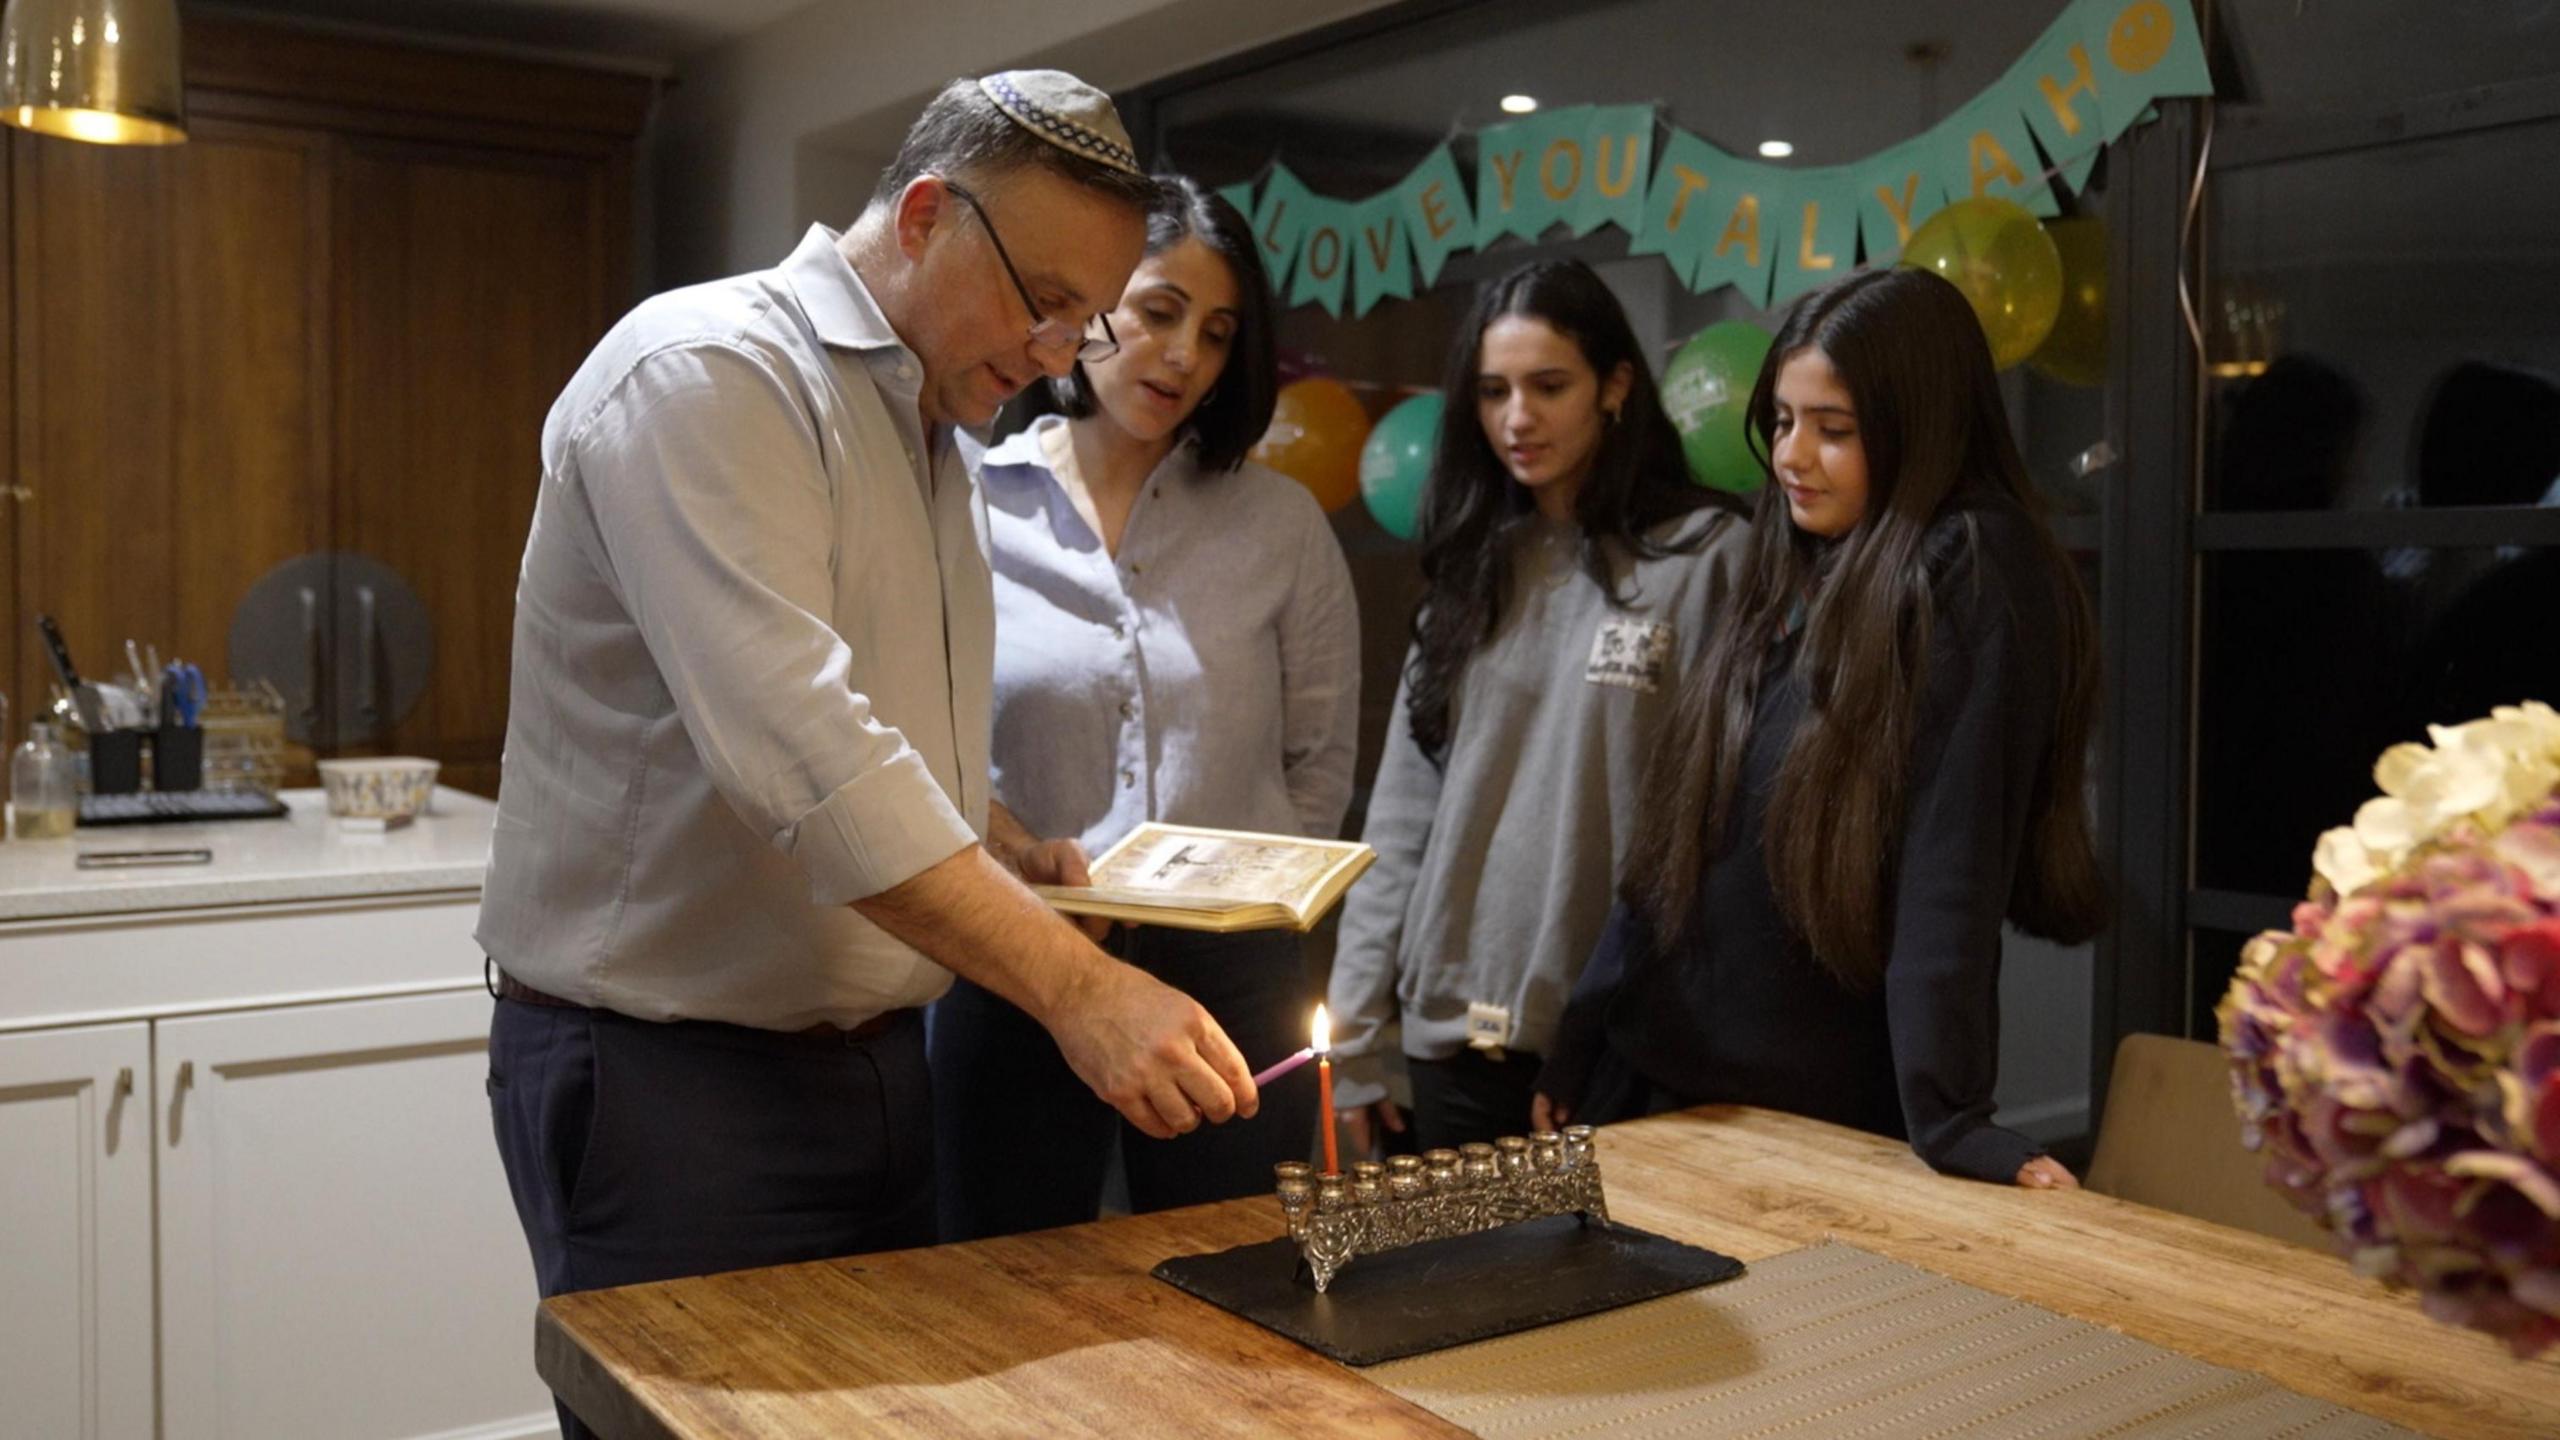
1448,1293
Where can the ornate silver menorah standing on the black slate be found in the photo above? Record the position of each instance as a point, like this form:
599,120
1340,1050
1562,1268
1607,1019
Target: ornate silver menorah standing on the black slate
1440,1193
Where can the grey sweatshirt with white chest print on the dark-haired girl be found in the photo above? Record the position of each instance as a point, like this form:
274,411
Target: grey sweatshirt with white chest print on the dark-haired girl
1496,867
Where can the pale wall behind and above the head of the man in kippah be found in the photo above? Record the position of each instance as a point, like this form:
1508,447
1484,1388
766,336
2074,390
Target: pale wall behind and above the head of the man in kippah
792,124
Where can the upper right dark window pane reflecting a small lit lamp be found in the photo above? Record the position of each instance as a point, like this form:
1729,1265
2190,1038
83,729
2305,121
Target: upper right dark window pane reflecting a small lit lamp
2380,327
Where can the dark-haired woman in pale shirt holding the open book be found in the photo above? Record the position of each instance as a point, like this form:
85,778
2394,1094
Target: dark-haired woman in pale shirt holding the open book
1174,642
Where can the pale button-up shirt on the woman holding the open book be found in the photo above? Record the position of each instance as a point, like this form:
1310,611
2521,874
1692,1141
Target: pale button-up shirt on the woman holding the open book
1207,675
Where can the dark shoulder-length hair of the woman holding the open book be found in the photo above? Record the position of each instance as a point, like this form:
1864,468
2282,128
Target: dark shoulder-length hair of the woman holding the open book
1235,411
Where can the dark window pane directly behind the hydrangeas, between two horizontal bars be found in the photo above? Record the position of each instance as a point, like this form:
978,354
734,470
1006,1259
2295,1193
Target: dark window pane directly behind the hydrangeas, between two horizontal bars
2313,662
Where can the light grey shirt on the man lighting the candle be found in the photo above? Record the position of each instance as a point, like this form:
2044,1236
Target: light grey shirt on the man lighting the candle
754,650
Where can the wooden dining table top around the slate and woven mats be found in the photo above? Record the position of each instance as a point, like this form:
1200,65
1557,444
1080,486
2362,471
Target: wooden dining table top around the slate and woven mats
1066,1334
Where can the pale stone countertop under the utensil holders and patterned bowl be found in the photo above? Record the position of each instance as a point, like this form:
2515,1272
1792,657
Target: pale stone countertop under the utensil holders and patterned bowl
255,862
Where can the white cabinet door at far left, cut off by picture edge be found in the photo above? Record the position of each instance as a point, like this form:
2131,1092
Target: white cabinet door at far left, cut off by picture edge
76,1234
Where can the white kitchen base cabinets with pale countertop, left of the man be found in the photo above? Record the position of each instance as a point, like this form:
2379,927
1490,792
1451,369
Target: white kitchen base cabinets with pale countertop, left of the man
247,1172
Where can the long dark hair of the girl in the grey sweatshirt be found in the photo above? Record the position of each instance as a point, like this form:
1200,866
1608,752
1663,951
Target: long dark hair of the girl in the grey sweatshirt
1476,506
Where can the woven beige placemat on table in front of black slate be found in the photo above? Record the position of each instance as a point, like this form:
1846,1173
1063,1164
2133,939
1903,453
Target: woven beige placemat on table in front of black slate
1834,1341
